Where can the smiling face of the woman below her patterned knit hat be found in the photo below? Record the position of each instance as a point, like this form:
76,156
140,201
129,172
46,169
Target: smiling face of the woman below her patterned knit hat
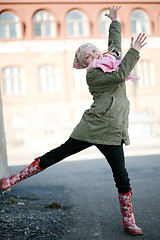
92,53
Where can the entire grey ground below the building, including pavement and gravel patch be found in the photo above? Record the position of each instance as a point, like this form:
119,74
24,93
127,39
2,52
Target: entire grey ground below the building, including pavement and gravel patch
89,208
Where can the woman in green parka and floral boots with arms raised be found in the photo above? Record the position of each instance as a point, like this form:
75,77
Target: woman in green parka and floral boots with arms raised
105,124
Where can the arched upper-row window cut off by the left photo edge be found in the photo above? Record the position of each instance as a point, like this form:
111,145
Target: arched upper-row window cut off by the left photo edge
9,25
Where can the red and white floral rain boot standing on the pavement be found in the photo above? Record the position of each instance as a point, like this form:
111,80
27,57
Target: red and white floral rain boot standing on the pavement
127,213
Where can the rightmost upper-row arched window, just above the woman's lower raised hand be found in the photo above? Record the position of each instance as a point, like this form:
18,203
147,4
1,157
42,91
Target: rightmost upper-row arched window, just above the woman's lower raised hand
139,22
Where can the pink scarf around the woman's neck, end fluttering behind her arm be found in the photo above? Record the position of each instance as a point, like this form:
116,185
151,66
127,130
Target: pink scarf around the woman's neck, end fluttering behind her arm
109,64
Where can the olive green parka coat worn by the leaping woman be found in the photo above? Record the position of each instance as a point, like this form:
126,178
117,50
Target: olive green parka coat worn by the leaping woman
106,122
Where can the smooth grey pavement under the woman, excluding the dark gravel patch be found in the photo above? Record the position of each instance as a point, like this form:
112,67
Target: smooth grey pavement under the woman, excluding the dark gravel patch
89,190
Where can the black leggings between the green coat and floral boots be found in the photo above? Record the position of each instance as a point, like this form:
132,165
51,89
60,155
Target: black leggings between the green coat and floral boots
113,154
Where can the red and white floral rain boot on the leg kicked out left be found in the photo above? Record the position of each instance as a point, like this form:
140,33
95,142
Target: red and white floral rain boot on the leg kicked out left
29,171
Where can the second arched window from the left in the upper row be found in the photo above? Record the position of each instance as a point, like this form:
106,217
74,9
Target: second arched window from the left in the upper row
44,24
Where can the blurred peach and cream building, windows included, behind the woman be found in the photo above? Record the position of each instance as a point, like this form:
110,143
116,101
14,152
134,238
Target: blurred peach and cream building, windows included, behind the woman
43,97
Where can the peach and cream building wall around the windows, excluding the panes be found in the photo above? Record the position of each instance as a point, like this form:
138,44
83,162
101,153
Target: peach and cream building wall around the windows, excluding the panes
35,118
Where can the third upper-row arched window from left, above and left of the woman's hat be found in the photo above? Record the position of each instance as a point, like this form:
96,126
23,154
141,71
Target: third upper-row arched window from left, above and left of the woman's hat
77,24
